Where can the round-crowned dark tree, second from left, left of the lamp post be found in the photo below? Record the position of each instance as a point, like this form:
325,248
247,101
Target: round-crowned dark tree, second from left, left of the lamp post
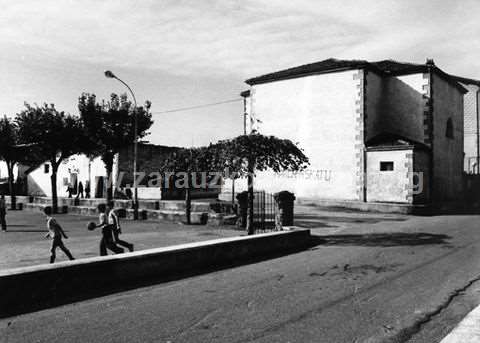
55,134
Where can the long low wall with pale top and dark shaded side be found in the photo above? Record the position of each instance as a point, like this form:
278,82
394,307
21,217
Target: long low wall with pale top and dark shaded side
32,288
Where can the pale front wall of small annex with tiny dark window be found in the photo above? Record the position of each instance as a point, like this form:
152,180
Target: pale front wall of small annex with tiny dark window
388,186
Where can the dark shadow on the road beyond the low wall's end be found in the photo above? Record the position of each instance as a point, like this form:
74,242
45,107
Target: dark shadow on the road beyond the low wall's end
382,239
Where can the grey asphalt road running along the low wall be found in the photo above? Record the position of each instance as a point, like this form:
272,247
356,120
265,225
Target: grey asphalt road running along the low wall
369,278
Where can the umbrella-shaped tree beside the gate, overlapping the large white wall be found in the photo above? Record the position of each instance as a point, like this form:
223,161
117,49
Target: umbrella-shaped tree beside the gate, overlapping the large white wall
243,155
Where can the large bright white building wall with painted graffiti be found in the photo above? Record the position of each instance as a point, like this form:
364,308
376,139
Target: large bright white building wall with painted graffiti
319,112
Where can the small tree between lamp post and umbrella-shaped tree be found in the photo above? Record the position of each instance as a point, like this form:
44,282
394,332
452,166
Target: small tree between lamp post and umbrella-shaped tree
188,163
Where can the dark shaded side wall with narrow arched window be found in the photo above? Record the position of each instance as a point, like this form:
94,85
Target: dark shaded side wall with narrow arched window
447,152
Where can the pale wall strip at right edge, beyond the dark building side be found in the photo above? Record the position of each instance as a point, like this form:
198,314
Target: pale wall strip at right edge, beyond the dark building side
470,124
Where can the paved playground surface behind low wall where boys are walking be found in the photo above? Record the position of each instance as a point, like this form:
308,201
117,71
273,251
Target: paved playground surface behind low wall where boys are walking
24,244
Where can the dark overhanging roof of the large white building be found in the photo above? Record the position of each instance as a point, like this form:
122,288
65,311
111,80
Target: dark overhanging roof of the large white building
385,67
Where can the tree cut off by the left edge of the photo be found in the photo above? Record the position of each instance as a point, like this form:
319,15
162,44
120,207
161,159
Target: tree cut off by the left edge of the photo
9,147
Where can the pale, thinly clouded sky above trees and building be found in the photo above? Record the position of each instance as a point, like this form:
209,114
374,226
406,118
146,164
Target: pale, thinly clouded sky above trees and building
181,54
